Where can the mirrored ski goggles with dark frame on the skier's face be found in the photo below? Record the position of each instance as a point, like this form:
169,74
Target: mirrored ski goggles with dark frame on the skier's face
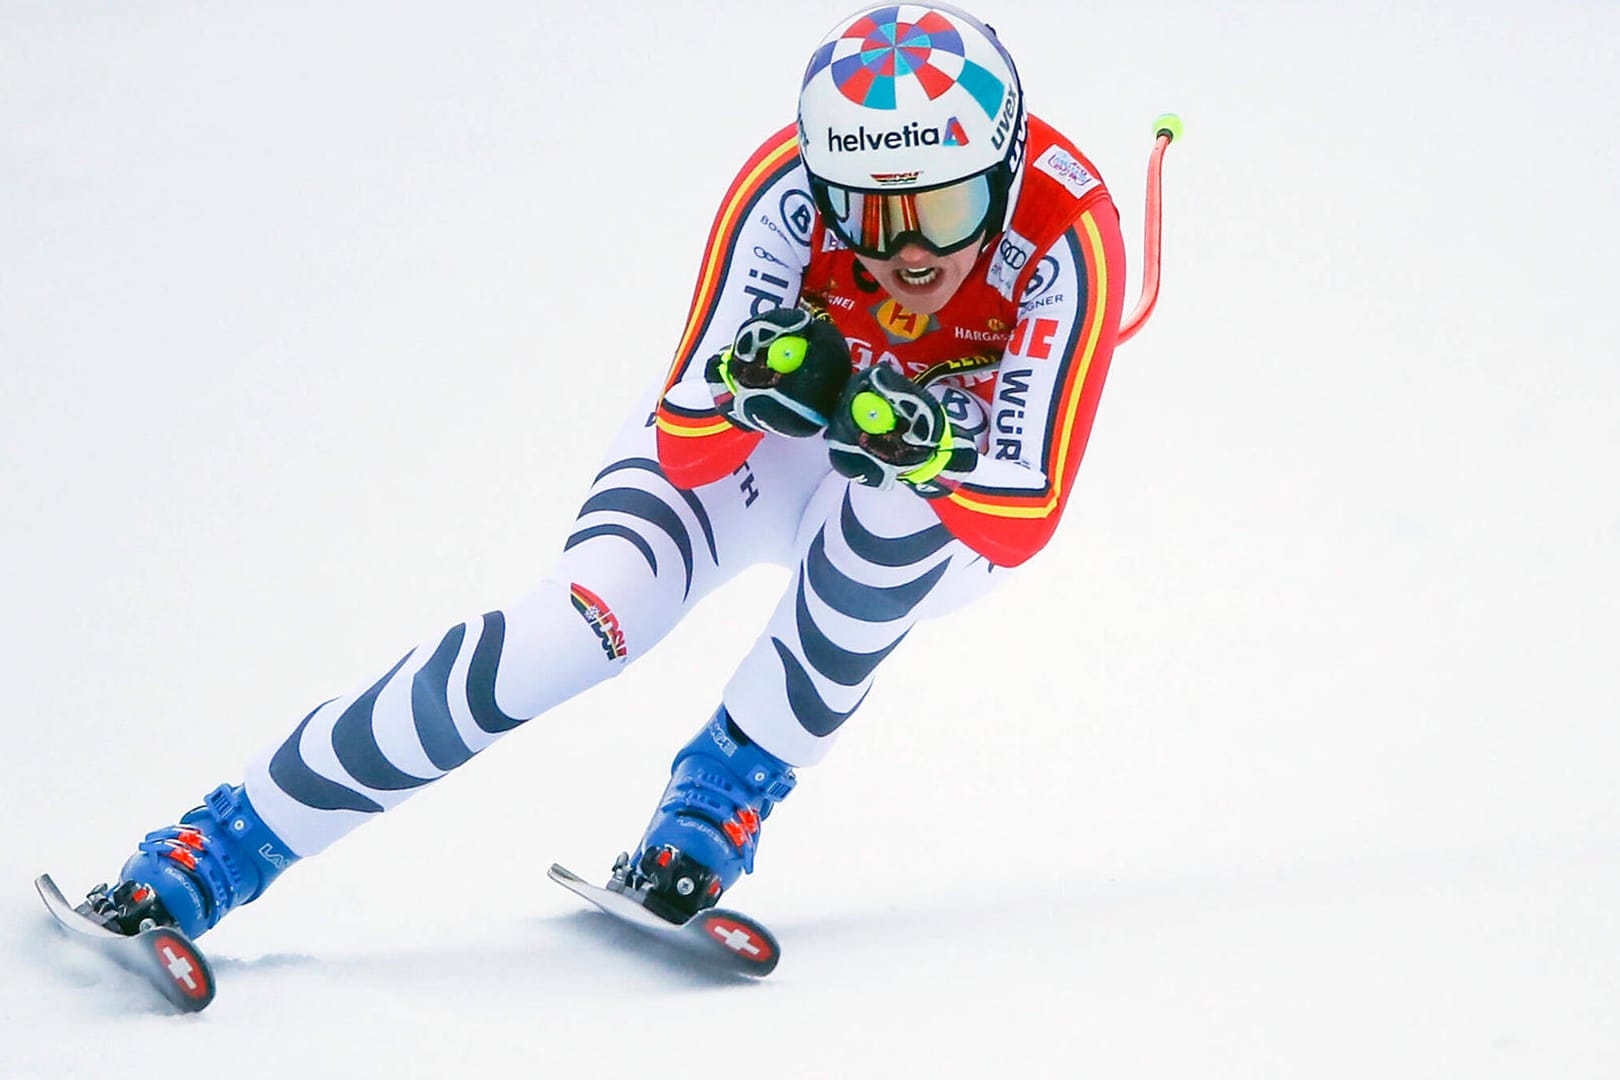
944,219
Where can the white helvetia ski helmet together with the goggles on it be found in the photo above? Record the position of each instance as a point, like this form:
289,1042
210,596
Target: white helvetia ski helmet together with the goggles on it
911,125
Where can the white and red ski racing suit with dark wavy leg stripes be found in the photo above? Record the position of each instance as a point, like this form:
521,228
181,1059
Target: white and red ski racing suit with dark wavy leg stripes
688,501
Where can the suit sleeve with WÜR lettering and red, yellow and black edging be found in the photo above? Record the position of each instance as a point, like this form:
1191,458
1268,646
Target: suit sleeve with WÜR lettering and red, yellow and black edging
1046,398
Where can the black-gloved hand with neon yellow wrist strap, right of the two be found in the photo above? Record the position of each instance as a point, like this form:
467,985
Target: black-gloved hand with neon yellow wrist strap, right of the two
887,430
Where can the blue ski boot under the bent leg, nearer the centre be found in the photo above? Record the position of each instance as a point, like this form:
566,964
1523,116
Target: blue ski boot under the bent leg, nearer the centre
707,825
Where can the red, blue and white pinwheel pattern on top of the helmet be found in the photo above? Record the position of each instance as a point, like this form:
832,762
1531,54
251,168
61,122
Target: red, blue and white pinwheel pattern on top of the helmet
880,53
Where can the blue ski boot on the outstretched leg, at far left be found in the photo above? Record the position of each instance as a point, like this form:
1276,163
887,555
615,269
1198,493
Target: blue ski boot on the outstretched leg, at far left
220,857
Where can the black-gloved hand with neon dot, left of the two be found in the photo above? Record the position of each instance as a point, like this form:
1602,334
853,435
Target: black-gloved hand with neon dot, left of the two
783,373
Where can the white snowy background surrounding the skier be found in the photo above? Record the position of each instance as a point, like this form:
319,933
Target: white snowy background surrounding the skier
315,320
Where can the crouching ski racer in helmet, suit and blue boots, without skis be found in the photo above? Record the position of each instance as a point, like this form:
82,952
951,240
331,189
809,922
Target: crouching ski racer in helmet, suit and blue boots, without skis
897,344
